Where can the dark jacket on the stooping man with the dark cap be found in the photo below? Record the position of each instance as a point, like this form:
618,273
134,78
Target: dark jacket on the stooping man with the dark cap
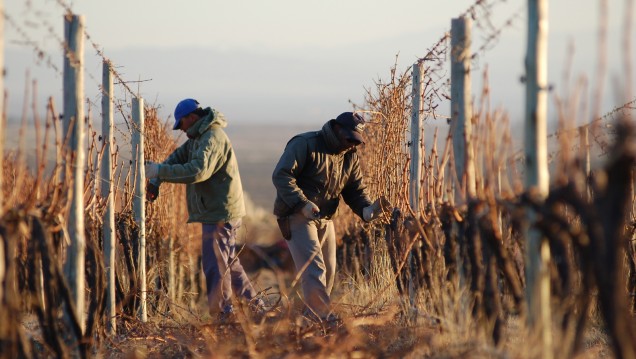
312,168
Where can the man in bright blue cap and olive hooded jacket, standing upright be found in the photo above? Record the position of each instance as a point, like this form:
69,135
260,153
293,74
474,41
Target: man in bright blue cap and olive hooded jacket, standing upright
206,163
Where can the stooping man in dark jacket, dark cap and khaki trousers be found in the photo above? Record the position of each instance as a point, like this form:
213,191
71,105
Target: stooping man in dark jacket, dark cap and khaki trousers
314,171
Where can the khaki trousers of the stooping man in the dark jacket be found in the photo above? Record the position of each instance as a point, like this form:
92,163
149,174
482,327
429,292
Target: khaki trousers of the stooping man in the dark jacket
313,248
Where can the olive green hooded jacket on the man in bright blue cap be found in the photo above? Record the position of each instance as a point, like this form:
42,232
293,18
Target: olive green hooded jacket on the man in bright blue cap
207,164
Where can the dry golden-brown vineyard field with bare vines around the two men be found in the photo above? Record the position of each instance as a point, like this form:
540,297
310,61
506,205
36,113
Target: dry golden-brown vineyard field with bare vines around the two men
446,272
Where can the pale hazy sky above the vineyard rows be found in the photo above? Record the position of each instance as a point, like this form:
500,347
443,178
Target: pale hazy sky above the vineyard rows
292,60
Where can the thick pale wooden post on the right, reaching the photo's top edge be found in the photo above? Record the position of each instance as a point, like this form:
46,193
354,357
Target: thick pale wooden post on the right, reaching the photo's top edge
537,176
